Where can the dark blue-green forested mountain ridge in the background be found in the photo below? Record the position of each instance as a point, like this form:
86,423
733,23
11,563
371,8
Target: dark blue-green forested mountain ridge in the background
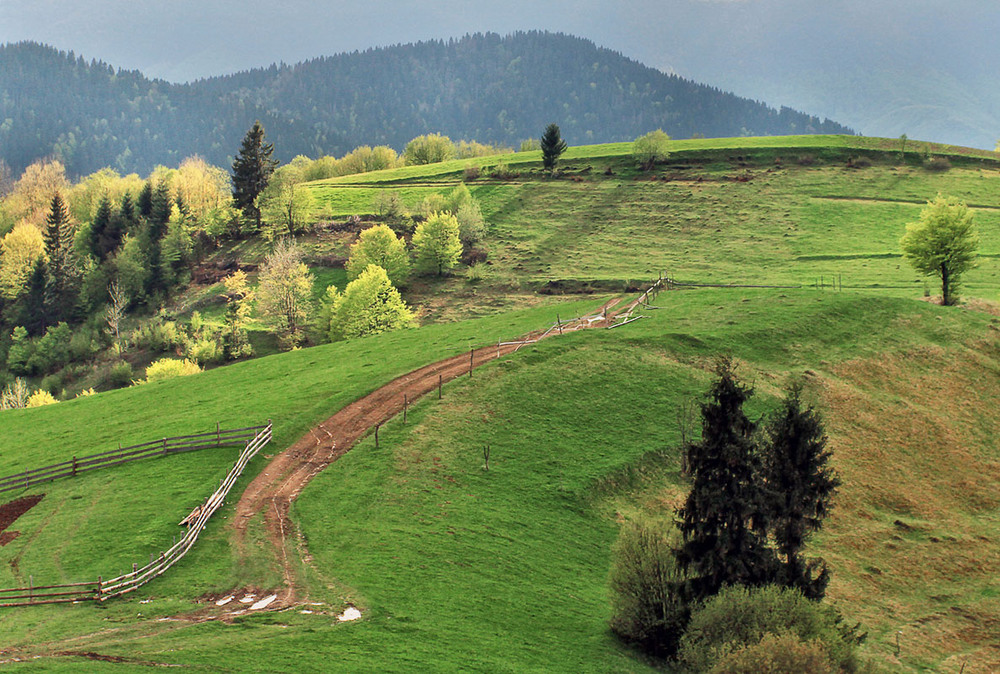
481,87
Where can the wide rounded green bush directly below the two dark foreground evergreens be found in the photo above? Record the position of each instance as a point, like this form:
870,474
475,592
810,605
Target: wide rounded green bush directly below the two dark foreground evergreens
740,617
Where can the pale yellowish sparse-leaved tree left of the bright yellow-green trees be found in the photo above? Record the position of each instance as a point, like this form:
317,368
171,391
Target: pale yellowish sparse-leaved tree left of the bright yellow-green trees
284,292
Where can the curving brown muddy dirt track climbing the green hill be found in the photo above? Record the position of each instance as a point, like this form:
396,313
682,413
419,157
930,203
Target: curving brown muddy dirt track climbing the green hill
283,479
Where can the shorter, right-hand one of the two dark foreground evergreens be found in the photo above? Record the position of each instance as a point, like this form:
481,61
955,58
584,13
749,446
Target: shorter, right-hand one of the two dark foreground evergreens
800,483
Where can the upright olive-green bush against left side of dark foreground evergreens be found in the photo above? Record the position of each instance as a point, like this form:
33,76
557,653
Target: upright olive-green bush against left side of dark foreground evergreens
645,608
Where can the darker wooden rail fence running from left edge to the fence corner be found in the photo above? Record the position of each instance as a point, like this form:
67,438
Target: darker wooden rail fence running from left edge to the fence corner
183,443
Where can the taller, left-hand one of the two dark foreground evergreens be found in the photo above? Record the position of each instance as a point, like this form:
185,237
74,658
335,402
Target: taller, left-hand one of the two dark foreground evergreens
723,521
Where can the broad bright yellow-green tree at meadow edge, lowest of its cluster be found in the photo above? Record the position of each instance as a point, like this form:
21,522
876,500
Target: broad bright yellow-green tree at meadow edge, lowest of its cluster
369,305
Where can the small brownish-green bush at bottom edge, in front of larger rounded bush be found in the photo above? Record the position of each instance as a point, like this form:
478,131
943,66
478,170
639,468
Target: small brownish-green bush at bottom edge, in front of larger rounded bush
777,654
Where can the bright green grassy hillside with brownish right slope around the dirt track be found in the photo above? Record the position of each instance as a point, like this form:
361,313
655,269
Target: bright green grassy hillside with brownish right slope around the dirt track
505,570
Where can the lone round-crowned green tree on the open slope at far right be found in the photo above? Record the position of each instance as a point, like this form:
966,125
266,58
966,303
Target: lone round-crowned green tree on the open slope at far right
942,243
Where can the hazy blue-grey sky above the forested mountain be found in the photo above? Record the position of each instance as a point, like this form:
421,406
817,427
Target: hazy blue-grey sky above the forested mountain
780,51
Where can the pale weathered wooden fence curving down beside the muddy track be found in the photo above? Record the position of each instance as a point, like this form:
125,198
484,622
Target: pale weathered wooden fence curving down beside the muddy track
101,590
